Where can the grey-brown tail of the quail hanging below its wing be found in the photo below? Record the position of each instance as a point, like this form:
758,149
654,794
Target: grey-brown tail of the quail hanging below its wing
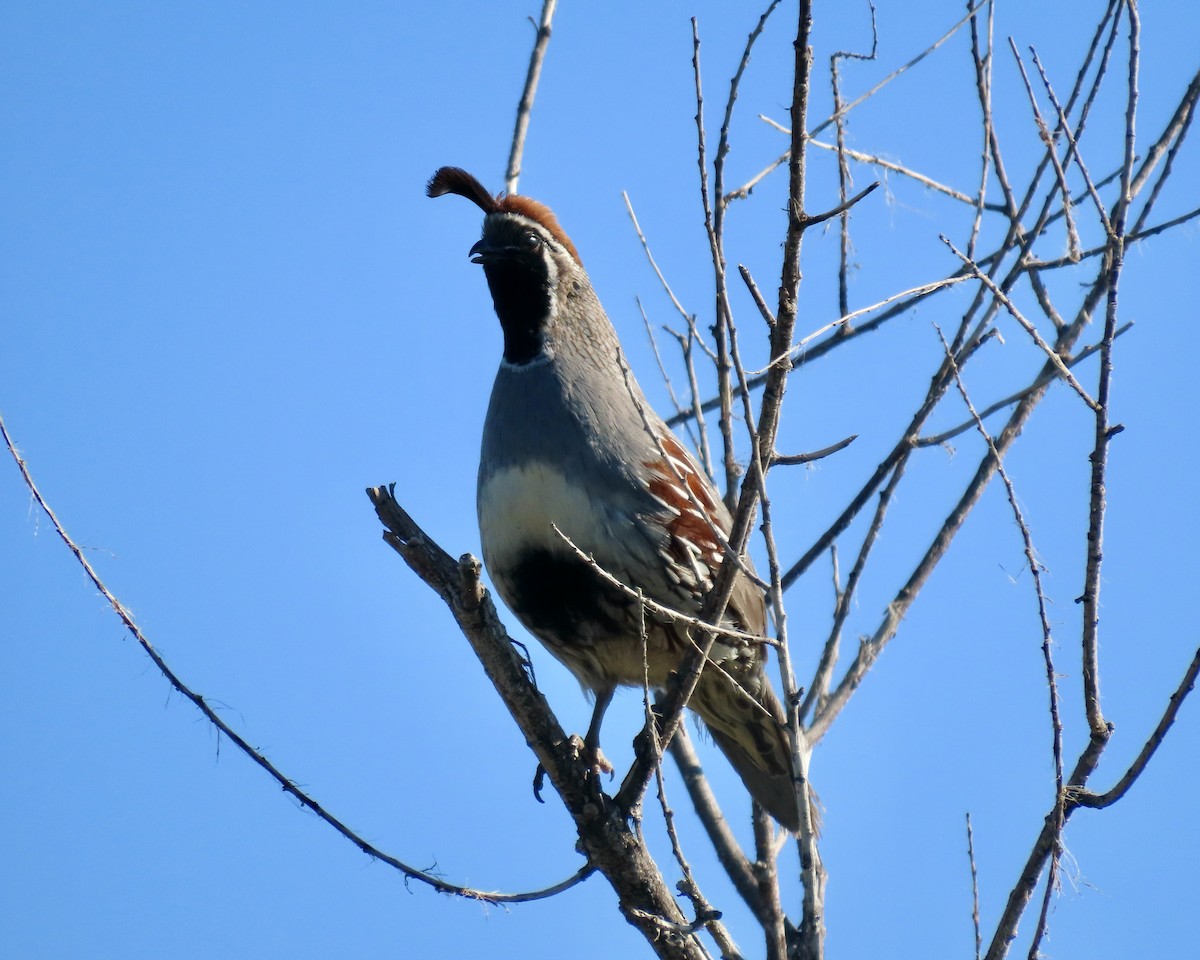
752,733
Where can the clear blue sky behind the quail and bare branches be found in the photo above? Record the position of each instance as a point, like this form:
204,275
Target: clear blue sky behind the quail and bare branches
229,308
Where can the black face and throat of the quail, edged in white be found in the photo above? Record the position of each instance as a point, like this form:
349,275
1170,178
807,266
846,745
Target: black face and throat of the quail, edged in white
518,275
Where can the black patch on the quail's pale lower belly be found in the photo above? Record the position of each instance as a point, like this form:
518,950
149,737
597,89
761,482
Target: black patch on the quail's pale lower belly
565,598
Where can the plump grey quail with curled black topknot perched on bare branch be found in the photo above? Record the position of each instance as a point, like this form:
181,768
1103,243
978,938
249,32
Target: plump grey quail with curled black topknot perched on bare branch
578,472
